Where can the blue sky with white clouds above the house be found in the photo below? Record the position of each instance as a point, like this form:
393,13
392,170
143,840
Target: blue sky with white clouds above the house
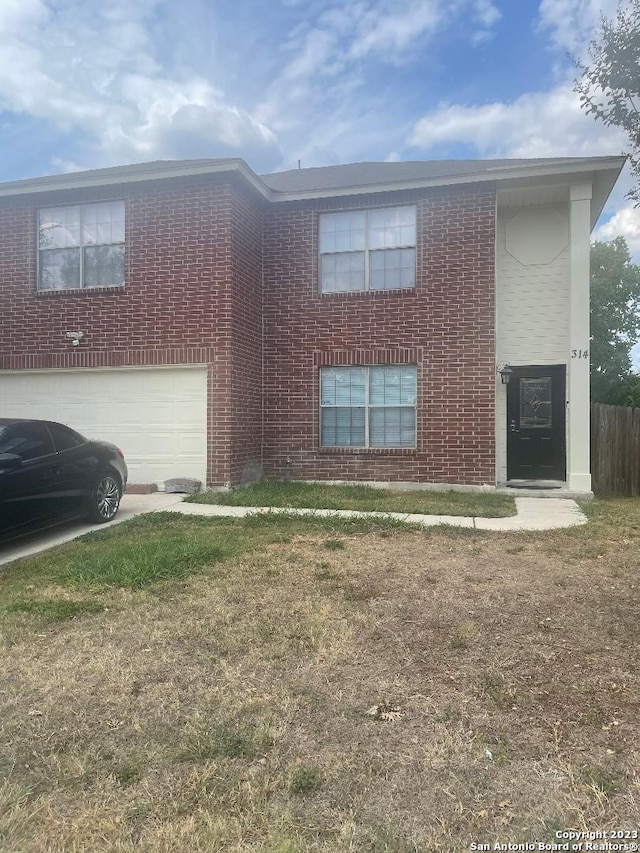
85,84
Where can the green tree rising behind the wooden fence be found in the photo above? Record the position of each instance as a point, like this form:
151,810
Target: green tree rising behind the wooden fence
615,318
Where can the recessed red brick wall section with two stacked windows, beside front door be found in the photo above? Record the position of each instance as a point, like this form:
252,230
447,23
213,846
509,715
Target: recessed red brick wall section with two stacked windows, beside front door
445,326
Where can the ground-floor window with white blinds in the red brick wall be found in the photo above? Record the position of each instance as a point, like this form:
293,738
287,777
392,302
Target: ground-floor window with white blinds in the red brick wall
368,406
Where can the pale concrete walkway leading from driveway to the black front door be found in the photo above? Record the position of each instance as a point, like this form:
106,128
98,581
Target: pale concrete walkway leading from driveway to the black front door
533,514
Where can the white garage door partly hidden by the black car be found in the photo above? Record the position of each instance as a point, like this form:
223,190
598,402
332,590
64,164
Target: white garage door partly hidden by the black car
157,416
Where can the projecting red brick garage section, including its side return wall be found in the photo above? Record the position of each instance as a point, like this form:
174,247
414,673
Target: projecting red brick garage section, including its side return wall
192,261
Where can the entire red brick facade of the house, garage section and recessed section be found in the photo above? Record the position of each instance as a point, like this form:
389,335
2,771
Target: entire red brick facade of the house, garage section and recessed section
205,276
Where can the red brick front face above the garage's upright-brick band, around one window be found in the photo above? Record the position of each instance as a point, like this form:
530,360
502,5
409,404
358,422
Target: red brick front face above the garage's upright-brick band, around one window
178,268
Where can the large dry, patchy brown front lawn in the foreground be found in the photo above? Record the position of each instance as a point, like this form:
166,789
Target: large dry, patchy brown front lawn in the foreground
289,685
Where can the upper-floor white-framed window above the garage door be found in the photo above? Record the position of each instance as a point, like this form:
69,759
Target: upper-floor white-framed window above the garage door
81,245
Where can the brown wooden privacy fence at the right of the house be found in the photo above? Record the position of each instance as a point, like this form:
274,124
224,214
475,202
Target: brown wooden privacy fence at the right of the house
615,450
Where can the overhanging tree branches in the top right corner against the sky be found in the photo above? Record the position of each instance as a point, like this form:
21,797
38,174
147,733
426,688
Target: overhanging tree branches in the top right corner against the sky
610,85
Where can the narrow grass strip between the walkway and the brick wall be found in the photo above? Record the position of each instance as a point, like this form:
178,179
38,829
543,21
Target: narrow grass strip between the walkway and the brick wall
289,493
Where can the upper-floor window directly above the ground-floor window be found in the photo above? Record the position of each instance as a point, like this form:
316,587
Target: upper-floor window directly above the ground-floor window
368,250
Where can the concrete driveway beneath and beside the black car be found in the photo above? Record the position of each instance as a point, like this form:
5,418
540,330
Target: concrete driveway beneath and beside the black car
131,505
